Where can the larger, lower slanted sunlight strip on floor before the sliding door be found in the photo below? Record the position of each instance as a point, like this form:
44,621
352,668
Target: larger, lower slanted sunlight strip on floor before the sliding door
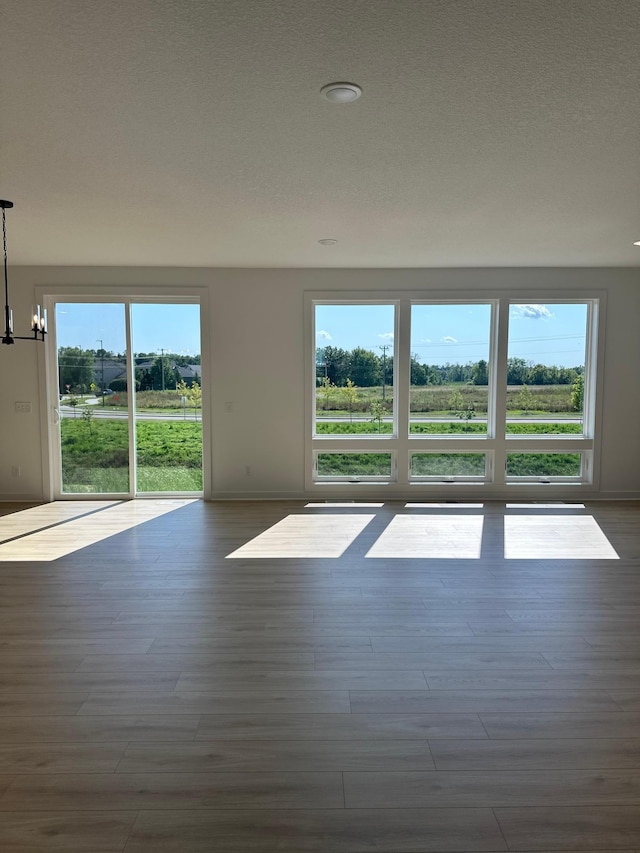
78,533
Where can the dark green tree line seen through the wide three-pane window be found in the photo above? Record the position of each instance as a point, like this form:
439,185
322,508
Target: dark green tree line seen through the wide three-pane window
366,369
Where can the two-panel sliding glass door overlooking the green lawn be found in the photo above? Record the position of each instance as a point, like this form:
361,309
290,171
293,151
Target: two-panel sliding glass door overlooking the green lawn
129,390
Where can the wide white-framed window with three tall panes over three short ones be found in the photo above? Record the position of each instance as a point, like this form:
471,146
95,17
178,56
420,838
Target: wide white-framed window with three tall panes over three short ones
413,391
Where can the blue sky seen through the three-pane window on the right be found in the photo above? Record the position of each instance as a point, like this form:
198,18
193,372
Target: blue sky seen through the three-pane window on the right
548,334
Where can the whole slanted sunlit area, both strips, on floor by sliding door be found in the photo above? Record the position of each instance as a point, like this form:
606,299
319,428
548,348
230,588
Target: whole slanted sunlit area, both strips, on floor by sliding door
78,525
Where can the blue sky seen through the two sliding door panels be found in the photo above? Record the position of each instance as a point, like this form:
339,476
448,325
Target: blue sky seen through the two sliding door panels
174,328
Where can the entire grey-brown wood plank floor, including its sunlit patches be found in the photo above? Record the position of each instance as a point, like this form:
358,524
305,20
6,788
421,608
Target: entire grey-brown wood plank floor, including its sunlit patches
280,678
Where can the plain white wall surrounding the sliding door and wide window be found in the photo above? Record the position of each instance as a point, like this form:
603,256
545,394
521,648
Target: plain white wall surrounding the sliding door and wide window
256,324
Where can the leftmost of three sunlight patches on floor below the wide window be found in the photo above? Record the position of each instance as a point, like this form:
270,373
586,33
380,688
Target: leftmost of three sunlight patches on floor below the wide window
305,536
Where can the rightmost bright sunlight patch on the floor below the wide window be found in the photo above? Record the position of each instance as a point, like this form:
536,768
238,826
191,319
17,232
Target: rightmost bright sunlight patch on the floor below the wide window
552,537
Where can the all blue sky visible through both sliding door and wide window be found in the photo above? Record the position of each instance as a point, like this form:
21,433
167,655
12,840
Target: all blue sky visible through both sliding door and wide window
551,334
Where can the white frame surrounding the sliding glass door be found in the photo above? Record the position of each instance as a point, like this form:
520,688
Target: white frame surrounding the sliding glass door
48,296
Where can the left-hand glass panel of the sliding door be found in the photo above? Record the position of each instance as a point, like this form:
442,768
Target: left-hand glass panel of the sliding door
94,419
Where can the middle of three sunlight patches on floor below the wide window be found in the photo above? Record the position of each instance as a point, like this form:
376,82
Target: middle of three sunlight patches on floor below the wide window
454,537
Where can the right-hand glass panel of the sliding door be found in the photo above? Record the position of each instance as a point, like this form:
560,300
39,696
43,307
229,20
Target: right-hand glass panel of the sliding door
167,399
